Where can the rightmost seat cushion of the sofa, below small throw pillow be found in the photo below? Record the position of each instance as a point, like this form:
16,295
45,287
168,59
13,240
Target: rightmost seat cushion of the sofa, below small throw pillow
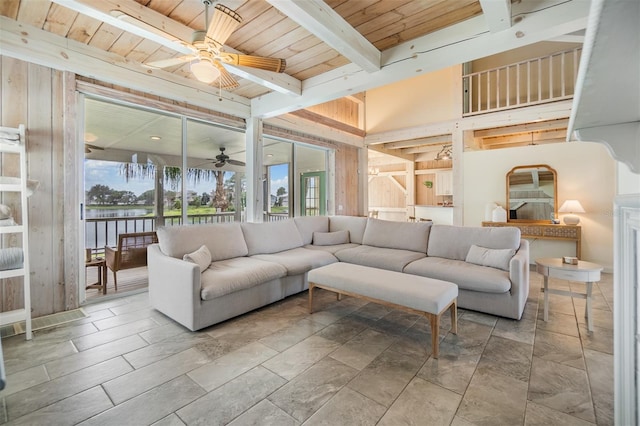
466,275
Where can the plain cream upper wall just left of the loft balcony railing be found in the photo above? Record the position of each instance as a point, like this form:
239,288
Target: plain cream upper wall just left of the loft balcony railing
424,99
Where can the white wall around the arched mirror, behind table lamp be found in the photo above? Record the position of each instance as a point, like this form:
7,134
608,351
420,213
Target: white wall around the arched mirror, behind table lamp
586,172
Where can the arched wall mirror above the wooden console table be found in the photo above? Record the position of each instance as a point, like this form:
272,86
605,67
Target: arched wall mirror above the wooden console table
532,194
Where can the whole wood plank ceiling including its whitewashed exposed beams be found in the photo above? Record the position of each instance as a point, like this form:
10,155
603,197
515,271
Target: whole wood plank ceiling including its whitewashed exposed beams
333,48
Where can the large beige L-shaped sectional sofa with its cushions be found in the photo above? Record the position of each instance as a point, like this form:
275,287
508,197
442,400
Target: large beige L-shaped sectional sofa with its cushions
200,275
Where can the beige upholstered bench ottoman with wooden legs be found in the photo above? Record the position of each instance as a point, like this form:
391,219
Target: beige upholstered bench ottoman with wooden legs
425,296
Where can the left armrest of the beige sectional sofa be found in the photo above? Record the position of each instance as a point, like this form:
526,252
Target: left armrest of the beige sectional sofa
174,286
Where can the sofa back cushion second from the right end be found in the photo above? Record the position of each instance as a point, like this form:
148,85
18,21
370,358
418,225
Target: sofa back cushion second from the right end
397,235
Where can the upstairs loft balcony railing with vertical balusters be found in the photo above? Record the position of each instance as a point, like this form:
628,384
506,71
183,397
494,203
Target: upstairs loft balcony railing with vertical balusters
545,79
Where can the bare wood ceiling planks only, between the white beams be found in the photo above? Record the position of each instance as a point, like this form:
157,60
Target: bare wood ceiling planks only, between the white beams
265,30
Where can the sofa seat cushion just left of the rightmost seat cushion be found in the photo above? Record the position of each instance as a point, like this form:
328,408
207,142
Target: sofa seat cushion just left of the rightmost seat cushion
377,257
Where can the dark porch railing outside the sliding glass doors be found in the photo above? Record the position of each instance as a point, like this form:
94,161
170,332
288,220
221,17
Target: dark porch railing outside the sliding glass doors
104,231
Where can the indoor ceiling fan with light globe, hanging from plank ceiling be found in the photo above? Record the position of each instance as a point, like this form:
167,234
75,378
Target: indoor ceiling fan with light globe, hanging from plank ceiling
208,58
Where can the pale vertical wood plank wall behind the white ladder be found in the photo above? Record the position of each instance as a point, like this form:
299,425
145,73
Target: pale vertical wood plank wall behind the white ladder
33,95
